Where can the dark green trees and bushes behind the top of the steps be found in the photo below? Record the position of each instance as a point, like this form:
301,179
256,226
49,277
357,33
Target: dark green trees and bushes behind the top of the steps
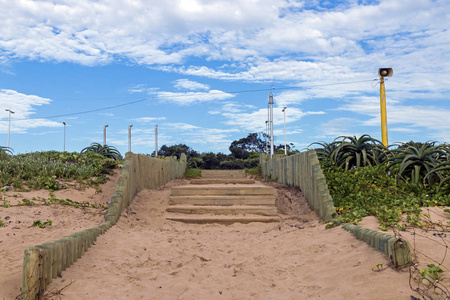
244,154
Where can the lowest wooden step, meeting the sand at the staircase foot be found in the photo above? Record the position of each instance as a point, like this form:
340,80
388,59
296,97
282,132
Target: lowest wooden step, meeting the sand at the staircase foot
223,219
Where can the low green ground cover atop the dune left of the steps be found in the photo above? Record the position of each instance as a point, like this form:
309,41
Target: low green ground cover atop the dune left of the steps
50,170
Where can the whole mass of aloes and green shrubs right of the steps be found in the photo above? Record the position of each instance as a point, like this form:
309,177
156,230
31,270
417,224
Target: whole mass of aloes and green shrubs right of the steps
365,178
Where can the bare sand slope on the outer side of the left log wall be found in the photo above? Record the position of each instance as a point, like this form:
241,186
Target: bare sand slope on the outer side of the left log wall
17,234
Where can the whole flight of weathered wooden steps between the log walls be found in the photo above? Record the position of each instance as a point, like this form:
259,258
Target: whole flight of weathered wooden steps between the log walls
224,196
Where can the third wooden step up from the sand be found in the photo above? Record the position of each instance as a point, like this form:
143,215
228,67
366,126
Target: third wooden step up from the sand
214,200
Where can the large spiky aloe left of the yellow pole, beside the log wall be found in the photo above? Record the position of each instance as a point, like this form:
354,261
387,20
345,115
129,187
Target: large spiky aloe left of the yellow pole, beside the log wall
351,152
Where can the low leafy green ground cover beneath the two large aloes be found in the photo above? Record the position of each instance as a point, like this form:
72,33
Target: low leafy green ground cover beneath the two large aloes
365,191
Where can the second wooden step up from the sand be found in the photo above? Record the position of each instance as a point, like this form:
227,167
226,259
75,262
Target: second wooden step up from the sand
224,210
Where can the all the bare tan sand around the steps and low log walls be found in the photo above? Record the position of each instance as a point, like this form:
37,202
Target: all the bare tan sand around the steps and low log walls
146,257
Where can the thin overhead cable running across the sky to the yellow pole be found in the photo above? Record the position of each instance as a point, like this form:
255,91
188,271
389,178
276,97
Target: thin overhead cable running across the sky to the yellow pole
195,94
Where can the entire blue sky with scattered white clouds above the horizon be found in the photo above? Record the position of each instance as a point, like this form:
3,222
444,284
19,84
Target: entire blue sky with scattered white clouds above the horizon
203,70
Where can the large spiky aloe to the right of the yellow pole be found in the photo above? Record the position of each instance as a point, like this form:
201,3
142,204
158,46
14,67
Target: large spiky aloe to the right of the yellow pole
417,160
